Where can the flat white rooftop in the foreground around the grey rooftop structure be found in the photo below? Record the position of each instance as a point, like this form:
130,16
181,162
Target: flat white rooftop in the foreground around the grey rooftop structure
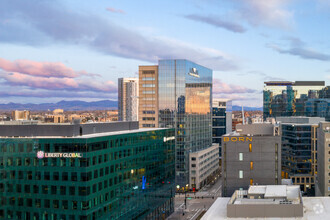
315,208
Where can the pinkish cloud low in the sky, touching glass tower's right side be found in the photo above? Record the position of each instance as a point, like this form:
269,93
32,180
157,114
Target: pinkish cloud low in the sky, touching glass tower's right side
220,87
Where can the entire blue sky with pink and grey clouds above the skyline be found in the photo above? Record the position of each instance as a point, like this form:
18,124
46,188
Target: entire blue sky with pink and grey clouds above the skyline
52,50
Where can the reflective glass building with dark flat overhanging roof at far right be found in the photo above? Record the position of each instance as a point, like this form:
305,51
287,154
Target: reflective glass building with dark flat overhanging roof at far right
289,98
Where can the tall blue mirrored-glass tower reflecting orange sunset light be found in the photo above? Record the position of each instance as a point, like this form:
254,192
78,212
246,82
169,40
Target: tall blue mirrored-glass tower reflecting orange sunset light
185,98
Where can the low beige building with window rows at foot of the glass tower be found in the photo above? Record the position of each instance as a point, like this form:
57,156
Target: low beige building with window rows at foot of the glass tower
204,166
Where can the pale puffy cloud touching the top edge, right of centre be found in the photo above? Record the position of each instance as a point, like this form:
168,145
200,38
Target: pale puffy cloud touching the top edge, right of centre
266,12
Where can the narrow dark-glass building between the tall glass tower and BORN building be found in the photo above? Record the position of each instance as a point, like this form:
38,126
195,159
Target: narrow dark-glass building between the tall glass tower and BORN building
221,119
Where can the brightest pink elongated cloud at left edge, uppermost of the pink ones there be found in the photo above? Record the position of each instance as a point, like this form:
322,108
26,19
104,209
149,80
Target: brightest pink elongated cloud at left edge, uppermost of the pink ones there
45,69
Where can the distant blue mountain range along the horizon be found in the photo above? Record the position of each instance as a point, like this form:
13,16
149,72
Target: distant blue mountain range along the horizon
83,106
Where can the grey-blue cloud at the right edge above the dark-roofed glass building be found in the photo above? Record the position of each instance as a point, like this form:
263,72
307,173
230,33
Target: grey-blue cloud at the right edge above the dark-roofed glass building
298,48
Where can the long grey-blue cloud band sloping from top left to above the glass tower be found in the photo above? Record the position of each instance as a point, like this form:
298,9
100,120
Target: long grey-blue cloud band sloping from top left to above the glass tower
51,22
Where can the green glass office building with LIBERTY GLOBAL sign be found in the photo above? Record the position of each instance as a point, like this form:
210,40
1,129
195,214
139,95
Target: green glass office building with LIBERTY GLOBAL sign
123,174
